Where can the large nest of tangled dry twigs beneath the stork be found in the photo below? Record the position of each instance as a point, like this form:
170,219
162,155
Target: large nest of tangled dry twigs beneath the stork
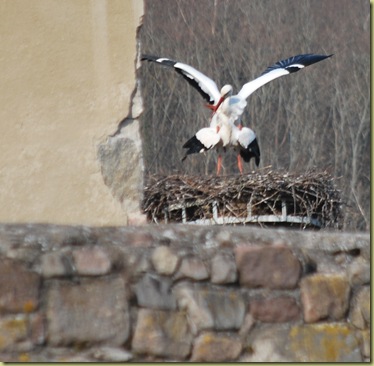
312,195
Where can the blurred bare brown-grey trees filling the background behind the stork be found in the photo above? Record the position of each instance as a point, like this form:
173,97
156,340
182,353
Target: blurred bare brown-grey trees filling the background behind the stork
318,118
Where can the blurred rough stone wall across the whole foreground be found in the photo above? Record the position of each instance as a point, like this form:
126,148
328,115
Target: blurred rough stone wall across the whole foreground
183,292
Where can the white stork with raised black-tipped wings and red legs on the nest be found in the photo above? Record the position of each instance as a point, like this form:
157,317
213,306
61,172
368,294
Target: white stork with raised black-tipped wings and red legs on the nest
225,126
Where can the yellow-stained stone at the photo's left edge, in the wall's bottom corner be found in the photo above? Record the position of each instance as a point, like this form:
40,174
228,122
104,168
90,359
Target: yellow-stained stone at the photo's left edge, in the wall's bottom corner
13,330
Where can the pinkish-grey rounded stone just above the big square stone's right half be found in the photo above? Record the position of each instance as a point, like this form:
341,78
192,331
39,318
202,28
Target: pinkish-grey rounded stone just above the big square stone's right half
92,261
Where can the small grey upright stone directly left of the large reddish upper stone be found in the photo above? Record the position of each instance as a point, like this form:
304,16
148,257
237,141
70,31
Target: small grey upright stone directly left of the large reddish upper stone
223,269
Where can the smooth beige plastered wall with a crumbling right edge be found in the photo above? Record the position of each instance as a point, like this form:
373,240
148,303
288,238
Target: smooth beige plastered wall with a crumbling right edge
67,71
